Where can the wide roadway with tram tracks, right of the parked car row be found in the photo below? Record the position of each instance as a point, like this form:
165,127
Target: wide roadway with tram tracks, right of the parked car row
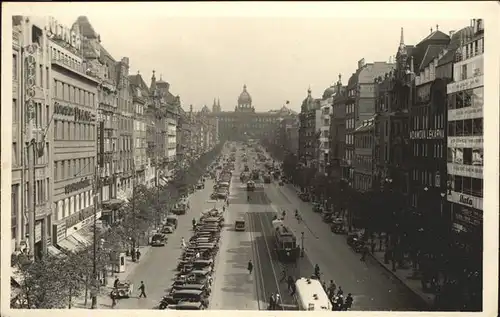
372,287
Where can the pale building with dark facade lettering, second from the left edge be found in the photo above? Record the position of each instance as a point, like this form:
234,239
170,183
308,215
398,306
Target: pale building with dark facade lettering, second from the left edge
74,152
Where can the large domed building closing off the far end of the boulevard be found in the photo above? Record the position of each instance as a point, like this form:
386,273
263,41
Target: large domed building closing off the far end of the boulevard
244,122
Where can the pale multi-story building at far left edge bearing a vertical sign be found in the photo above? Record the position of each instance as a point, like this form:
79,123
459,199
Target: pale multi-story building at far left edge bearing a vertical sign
32,136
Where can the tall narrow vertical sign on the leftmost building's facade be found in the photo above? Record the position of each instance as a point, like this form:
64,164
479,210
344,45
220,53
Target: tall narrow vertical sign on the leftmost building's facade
30,88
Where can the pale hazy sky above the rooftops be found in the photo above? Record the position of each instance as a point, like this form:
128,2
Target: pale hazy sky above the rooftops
210,50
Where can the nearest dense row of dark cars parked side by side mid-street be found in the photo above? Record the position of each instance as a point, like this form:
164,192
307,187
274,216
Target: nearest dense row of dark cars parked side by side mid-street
192,285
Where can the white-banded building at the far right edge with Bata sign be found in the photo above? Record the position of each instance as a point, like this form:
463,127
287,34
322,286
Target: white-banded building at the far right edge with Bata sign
465,156
